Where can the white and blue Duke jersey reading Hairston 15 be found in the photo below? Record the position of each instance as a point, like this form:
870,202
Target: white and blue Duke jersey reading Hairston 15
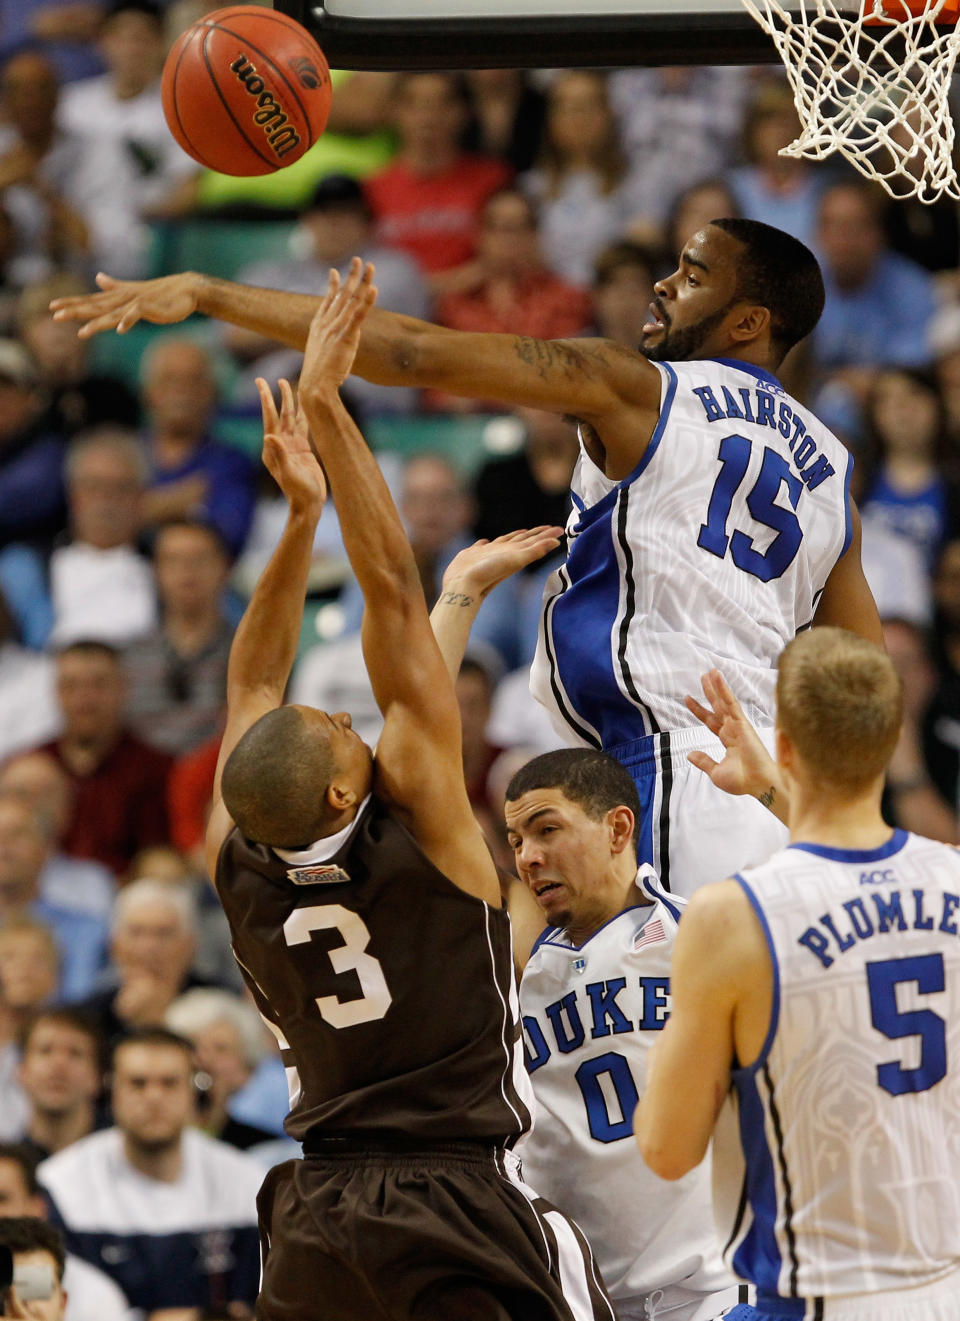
712,553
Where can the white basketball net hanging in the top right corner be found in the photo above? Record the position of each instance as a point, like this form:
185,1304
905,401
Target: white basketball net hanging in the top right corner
875,93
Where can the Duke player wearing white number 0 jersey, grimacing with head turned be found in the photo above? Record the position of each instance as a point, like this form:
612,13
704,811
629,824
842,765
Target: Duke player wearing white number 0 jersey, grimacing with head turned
595,995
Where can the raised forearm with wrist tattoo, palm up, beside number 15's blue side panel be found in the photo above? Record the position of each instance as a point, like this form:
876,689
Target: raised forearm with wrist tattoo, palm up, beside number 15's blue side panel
472,575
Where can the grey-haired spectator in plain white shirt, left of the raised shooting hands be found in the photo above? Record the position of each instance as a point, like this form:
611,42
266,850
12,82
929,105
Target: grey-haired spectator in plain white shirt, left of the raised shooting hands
101,585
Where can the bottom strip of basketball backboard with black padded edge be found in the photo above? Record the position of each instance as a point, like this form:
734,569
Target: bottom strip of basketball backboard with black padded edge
531,34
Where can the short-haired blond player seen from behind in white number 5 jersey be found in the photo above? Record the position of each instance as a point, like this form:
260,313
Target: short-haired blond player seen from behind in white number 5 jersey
821,993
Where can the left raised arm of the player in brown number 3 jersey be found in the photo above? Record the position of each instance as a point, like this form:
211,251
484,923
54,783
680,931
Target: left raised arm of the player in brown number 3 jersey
266,641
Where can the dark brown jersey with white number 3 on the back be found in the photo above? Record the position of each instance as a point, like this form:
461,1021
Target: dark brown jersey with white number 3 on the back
389,989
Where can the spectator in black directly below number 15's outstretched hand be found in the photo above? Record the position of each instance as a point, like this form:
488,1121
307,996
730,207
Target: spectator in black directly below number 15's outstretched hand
80,398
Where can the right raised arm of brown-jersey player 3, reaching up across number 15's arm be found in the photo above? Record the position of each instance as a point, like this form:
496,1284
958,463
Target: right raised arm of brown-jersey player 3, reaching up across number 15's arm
419,762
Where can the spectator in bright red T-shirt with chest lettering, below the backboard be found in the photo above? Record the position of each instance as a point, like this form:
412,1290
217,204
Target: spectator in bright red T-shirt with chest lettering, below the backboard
427,201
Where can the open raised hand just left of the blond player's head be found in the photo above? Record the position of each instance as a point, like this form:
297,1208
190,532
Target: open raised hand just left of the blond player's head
747,768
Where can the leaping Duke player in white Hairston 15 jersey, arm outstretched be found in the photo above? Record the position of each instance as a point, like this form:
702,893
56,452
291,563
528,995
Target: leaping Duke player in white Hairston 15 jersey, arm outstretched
712,513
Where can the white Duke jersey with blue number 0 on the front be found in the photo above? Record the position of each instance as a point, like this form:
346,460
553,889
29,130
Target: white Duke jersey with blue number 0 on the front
591,1014
